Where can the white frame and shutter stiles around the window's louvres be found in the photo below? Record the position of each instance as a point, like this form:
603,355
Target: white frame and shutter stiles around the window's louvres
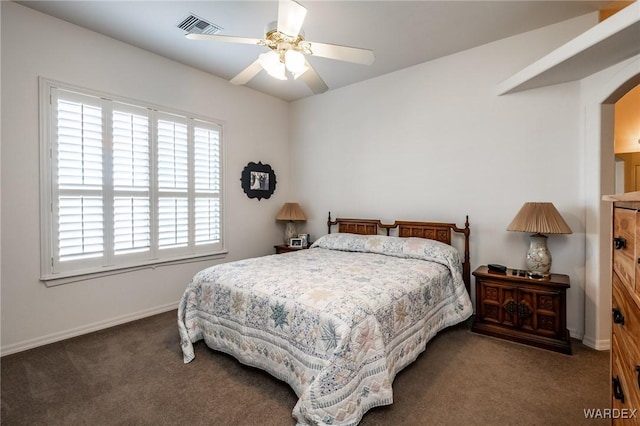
51,273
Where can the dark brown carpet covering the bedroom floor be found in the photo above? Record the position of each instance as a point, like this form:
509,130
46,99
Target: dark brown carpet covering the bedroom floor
133,374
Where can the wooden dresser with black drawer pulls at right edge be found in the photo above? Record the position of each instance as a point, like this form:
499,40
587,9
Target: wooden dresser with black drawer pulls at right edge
625,329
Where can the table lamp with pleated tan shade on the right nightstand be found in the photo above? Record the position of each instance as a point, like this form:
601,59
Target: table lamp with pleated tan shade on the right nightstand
539,219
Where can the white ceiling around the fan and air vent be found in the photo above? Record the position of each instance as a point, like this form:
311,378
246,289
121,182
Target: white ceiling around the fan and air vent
401,33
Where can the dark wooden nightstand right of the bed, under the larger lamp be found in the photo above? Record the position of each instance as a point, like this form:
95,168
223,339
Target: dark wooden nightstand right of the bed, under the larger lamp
522,309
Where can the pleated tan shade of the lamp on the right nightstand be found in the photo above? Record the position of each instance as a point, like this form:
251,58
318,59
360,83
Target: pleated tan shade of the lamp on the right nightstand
539,218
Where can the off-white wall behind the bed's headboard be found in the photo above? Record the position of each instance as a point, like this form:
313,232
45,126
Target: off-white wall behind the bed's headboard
433,142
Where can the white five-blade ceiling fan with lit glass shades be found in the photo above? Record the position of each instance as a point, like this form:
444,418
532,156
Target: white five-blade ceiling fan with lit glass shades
288,48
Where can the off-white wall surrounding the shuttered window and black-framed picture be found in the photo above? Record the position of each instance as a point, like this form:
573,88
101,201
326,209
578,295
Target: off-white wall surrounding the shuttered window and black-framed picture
255,129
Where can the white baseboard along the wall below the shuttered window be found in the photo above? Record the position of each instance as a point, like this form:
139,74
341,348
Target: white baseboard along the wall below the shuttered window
89,328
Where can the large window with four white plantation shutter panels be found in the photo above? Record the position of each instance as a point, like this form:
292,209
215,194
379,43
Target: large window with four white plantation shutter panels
125,184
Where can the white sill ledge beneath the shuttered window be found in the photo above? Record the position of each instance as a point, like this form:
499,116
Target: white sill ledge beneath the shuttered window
60,279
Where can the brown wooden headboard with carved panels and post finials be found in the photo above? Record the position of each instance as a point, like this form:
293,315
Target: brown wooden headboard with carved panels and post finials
439,231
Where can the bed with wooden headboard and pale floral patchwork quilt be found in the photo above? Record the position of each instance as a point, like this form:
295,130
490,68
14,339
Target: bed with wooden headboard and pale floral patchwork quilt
336,321
